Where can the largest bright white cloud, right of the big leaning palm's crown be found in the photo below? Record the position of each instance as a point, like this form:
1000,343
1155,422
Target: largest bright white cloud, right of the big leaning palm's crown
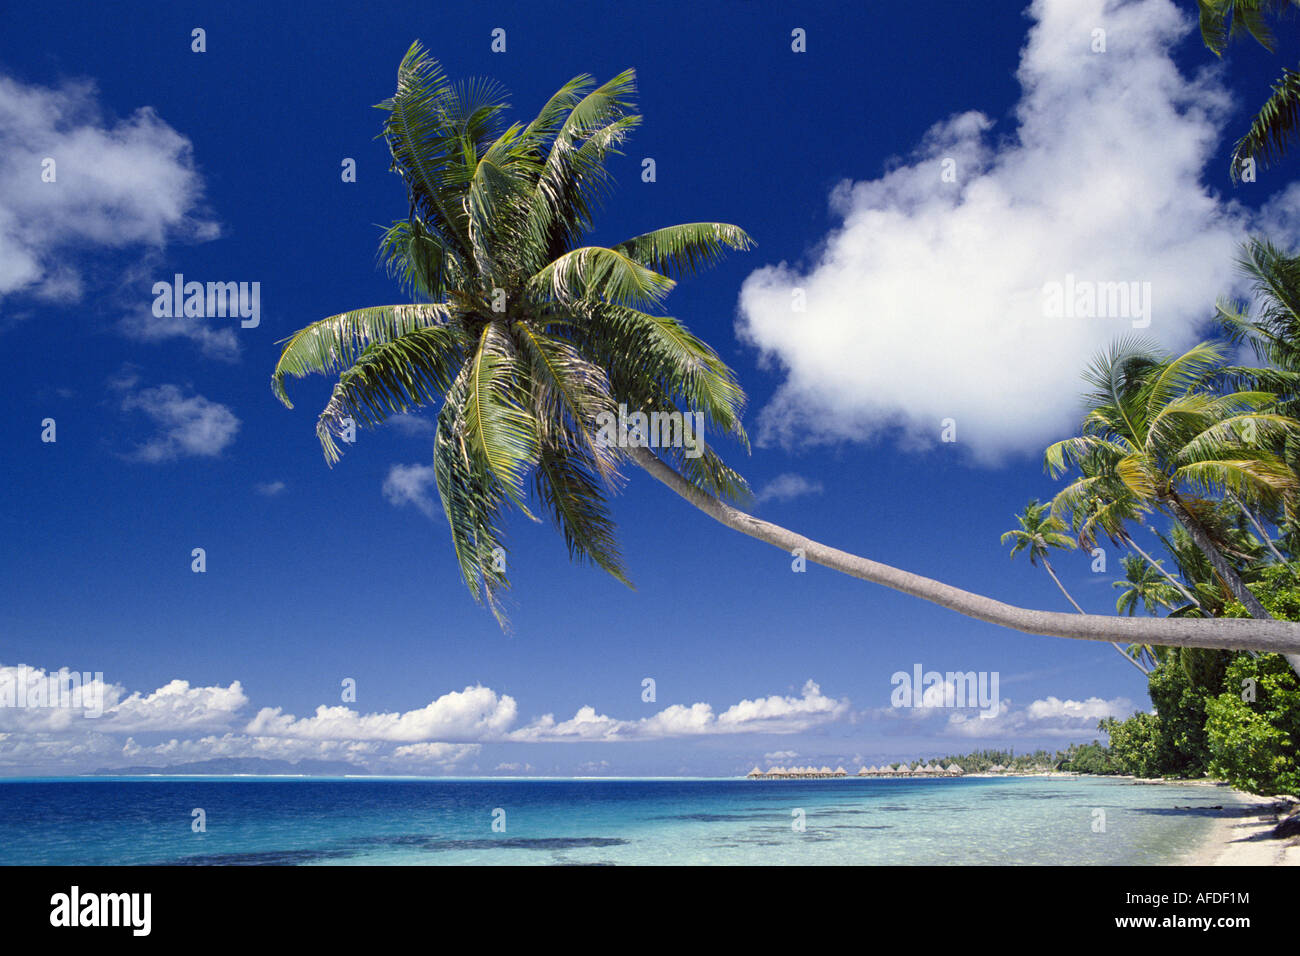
929,302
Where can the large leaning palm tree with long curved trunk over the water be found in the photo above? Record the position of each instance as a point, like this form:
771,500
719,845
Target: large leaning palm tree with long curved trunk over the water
528,340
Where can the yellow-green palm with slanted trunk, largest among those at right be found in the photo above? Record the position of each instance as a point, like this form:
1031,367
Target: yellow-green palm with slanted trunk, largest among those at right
1154,430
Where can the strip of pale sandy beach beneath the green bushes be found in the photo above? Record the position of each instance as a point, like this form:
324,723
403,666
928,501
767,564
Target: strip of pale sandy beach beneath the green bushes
1241,837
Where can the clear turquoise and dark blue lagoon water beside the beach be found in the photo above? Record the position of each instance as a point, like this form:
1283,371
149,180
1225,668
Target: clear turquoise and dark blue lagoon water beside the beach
92,821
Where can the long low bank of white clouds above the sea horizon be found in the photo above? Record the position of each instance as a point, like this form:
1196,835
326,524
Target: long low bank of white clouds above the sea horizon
180,723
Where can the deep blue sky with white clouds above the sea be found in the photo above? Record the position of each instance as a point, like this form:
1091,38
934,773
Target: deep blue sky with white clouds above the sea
226,166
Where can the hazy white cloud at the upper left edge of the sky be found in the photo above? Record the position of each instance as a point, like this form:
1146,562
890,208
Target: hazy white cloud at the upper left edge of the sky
118,184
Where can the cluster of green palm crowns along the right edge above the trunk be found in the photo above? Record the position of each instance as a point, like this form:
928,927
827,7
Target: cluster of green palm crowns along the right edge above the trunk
1211,447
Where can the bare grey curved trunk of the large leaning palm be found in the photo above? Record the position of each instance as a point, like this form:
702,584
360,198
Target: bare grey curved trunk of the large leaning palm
1275,637
